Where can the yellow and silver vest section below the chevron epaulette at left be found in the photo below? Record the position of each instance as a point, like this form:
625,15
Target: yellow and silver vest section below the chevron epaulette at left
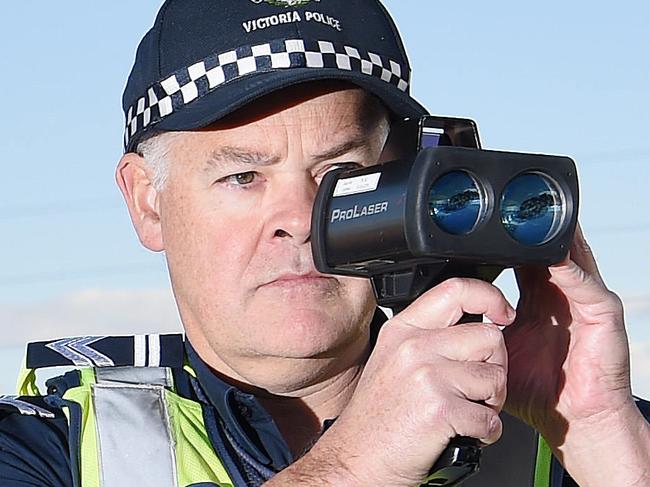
130,427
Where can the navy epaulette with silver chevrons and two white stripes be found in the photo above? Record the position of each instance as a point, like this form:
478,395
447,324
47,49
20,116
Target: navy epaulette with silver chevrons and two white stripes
152,350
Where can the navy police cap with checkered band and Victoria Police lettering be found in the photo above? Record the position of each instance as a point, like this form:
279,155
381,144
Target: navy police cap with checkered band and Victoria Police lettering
203,59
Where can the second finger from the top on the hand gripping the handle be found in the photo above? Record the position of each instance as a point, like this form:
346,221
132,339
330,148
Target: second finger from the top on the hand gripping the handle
471,342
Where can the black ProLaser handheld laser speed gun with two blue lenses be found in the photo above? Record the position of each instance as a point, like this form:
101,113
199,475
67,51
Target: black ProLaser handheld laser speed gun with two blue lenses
446,208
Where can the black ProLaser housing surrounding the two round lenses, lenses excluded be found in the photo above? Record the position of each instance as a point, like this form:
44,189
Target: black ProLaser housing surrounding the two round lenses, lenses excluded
390,227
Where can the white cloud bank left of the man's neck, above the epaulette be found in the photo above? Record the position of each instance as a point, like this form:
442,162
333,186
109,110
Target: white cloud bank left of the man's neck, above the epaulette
90,312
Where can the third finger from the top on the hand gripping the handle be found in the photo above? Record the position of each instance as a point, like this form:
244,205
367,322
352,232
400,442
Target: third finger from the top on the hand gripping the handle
479,381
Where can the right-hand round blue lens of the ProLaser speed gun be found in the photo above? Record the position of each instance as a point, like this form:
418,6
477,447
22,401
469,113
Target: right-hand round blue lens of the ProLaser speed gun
532,209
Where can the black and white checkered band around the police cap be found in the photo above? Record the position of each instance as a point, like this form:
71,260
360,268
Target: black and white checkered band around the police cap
191,83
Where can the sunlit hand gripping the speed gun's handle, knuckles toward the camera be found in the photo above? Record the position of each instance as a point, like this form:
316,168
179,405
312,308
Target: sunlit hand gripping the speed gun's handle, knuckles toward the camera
422,384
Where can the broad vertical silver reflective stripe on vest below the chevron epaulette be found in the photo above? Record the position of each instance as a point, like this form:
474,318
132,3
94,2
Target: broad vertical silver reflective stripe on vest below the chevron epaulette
135,443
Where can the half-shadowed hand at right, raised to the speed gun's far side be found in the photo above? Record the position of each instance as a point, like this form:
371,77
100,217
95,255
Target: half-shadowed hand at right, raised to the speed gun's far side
567,349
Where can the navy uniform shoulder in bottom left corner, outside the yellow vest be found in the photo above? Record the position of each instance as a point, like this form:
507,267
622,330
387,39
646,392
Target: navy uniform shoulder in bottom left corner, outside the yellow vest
33,443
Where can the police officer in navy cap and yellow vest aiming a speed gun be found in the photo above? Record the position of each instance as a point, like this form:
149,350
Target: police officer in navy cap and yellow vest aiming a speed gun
235,109
